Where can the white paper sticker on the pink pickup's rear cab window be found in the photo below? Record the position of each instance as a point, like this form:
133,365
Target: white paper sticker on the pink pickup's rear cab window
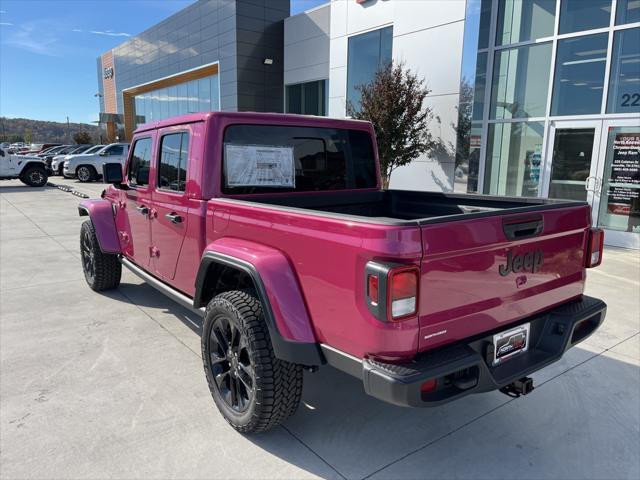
259,166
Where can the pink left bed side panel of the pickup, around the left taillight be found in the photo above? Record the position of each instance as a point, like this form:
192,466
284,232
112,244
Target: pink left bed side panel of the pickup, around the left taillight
328,257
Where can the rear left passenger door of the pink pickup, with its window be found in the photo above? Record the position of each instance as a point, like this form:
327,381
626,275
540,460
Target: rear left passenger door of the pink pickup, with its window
169,206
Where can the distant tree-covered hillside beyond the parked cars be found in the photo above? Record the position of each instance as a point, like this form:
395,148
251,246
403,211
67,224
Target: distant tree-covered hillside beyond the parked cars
38,131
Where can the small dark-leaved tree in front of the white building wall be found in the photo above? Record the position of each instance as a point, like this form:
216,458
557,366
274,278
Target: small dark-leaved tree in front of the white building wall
394,103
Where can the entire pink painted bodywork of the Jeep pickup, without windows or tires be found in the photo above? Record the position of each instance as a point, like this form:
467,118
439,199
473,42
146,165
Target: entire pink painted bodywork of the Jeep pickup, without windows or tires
312,265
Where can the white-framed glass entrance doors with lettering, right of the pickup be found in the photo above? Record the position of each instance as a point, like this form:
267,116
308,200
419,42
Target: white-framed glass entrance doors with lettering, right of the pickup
598,162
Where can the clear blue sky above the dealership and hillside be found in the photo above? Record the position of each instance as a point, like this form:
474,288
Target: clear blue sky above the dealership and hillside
48,50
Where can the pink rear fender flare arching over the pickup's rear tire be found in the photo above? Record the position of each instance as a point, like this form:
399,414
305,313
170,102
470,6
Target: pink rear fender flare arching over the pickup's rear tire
281,284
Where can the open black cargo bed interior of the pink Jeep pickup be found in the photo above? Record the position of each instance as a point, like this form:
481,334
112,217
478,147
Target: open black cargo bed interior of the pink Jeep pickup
400,207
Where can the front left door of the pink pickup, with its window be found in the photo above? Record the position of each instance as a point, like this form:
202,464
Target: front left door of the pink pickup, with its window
134,226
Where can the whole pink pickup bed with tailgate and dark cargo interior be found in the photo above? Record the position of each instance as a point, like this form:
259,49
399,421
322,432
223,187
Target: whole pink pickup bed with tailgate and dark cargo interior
461,243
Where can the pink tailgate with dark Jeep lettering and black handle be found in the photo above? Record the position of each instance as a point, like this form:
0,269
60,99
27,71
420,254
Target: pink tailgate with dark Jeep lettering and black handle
482,274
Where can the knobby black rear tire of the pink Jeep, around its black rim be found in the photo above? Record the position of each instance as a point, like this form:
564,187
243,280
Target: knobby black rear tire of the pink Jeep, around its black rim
278,384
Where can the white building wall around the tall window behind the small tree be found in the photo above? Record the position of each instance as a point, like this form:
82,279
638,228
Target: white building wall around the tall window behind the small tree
427,36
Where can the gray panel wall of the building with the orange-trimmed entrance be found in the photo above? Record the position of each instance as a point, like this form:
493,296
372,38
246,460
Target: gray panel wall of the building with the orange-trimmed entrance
238,34
